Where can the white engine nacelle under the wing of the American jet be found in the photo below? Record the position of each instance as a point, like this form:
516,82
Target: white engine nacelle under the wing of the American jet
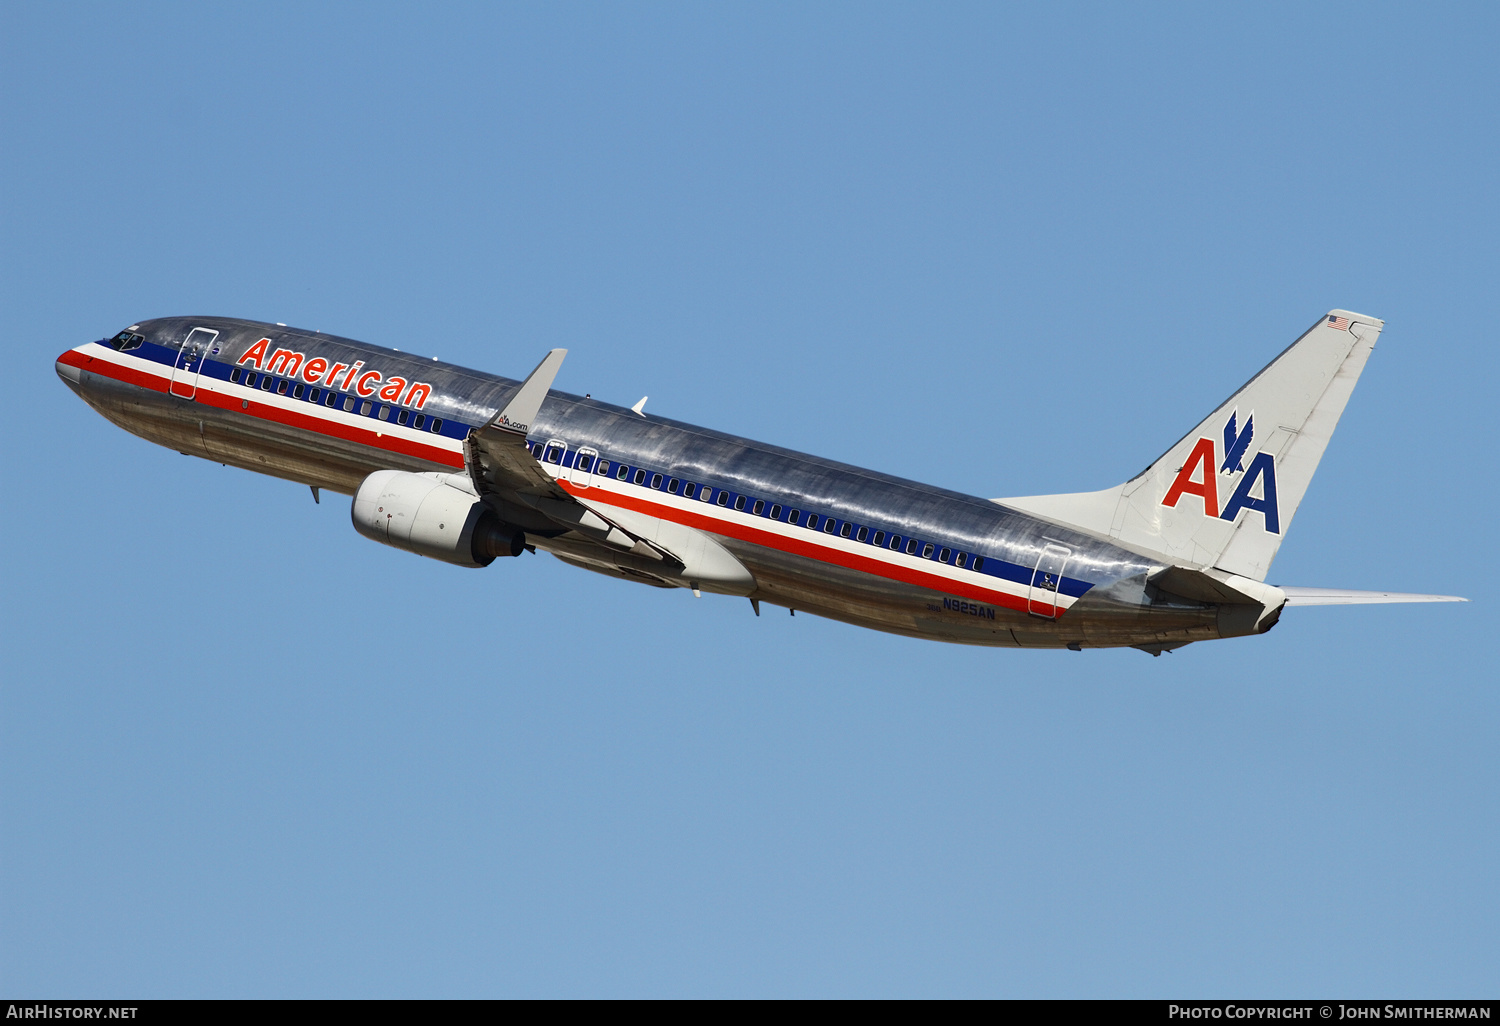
433,515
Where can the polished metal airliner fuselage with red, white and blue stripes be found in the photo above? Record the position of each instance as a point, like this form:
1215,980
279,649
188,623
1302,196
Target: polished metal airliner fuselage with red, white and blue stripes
815,535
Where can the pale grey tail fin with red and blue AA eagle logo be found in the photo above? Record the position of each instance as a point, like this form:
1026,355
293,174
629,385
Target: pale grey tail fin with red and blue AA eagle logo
1225,496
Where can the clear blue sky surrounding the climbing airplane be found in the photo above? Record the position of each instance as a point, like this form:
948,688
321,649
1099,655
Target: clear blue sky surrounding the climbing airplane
245,752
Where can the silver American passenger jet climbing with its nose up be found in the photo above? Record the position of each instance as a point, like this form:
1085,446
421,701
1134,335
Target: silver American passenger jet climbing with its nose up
467,467
